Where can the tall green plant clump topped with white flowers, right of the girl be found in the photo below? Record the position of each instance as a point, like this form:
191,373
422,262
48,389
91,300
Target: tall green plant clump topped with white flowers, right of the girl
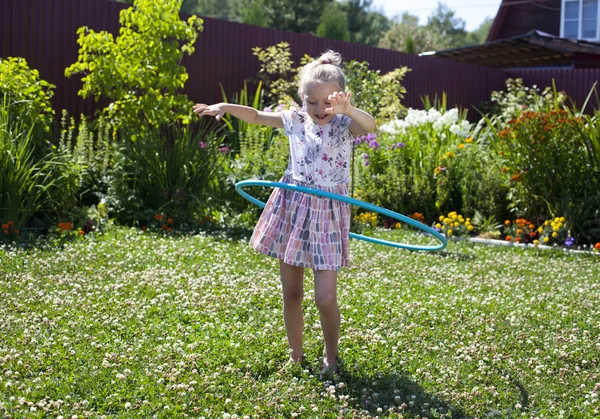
406,167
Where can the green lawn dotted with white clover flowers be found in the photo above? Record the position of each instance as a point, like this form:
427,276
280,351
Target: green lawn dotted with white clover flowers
135,325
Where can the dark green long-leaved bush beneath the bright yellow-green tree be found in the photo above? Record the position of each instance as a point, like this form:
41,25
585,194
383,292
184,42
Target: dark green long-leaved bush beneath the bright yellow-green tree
177,171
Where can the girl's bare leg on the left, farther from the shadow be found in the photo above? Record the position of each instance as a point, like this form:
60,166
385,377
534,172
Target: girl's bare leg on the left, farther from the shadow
292,285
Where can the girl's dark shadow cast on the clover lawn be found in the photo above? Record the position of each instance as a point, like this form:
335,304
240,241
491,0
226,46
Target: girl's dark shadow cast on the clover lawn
372,391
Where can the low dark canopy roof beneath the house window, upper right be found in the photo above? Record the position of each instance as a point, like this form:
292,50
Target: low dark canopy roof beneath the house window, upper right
533,49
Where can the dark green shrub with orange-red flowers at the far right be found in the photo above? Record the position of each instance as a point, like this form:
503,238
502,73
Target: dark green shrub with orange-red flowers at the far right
544,164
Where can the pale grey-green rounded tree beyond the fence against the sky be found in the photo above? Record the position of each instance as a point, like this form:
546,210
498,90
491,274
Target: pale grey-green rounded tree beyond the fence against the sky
407,36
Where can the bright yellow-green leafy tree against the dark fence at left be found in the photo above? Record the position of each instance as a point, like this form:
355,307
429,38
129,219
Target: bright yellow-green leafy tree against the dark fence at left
140,71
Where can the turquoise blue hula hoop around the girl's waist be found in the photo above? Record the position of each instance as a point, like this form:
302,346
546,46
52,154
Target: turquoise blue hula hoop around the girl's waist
351,201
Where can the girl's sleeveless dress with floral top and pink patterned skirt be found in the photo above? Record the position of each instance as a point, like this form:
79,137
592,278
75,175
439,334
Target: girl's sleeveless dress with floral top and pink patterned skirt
302,229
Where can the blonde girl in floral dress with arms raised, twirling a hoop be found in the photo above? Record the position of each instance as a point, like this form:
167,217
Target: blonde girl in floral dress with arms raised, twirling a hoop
303,230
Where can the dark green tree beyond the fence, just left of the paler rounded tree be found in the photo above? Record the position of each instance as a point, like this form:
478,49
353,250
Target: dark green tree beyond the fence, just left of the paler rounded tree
366,26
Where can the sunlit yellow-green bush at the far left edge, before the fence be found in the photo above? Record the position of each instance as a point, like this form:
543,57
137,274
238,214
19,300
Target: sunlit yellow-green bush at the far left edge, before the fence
28,95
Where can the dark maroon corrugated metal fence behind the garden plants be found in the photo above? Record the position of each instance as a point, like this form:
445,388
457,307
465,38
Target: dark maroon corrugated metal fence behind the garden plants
44,32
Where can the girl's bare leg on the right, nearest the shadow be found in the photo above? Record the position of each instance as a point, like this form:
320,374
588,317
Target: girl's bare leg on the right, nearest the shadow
326,300
